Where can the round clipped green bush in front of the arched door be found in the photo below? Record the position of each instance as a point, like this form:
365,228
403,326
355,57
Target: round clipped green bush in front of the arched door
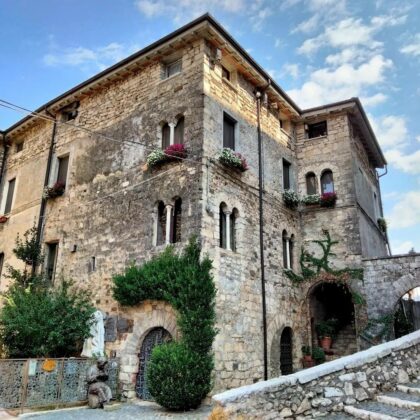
178,377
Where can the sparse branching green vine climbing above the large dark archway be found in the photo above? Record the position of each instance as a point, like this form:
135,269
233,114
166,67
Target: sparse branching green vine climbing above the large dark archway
313,267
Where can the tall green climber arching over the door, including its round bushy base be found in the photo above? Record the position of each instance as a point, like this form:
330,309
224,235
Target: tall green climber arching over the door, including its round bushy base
179,373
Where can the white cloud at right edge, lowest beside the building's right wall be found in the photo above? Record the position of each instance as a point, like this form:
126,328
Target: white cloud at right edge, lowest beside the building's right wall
406,212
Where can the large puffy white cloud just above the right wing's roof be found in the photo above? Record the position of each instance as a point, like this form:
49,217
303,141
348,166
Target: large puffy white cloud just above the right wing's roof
329,85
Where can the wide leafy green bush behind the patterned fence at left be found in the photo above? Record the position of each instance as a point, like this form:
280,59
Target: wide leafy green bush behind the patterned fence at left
38,322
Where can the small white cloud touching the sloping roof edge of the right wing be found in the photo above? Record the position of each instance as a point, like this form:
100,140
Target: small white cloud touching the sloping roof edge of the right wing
391,130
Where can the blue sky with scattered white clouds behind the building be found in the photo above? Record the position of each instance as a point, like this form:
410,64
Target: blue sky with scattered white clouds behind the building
319,51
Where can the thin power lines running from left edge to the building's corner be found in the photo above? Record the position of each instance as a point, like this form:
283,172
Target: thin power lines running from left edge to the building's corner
18,108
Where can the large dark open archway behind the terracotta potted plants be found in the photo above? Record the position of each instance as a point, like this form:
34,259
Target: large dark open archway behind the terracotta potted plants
329,301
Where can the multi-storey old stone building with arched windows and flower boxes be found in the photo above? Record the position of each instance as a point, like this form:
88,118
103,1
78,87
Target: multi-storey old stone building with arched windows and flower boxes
197,86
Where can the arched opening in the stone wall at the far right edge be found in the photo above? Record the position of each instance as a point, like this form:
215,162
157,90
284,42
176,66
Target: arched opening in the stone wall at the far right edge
407,313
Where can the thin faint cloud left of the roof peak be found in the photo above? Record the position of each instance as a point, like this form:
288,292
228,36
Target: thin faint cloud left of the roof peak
100,57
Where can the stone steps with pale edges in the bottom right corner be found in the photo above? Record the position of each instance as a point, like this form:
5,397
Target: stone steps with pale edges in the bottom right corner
401,404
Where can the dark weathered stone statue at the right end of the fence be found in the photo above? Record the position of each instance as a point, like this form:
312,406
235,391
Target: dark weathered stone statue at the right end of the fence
99,393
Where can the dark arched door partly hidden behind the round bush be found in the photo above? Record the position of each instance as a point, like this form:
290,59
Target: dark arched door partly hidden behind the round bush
153,338
